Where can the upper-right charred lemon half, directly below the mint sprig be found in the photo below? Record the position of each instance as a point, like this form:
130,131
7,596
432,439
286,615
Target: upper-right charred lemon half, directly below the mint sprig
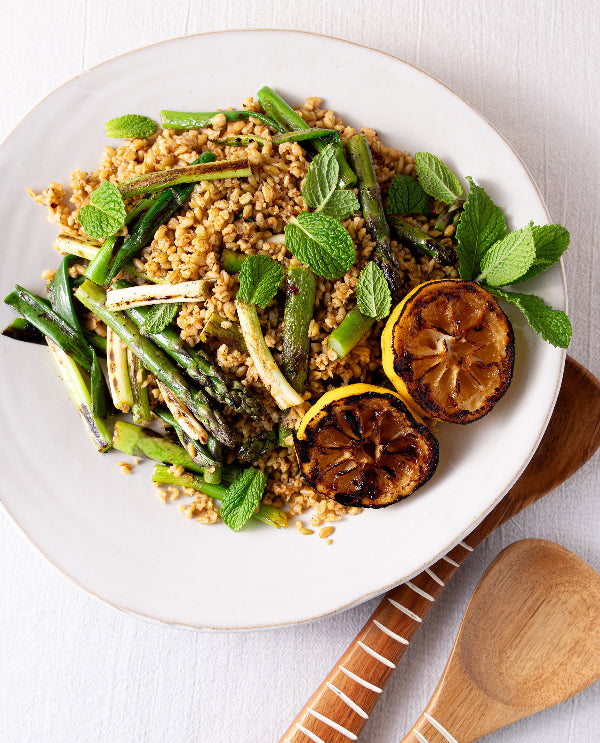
449,350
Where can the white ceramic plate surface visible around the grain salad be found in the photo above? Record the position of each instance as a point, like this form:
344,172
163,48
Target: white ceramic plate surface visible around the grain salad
107,531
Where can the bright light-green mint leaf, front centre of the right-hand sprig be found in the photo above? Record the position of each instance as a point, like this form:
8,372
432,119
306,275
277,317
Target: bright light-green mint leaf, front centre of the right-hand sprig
509,258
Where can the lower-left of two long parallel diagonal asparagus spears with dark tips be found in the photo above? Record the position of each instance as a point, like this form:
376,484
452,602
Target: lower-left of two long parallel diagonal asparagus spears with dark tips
157,362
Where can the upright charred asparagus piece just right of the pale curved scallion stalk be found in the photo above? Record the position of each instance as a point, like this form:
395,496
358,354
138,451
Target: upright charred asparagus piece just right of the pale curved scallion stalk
299,304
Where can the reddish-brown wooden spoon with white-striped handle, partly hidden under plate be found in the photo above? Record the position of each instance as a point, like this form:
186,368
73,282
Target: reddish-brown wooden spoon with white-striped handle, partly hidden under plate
340,707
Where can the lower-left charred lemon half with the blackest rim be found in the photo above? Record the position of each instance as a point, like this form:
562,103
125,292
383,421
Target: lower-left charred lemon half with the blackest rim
361,446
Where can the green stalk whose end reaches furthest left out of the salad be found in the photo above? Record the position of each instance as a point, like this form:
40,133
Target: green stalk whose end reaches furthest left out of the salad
40,314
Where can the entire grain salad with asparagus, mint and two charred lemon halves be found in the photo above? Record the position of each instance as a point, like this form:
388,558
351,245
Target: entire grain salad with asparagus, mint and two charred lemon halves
296,302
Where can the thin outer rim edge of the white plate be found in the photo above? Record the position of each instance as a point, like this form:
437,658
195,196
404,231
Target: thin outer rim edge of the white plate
380,590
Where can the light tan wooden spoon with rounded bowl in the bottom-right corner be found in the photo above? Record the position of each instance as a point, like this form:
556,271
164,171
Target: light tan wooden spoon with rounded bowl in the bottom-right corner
530,638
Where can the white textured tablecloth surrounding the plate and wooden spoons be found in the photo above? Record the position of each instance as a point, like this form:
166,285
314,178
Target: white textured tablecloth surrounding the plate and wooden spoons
72,669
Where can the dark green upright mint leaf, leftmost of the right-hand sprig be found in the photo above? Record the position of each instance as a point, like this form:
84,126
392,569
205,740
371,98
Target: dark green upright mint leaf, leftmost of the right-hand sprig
481,225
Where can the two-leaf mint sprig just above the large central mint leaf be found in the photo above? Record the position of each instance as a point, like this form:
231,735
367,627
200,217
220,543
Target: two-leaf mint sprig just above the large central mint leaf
320,189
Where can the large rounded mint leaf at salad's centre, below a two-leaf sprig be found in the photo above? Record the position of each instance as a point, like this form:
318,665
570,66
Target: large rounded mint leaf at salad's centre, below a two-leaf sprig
321,243
